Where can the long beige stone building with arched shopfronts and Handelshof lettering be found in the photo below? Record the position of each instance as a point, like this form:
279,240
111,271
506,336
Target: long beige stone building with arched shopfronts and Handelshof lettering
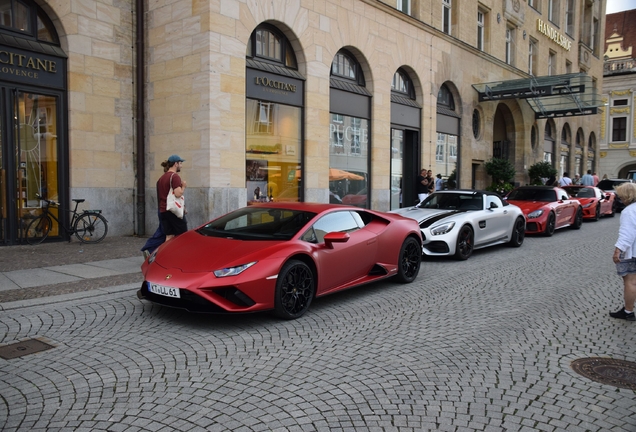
341,101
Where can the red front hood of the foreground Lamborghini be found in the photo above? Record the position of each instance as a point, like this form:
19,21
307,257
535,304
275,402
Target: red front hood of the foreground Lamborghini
192,252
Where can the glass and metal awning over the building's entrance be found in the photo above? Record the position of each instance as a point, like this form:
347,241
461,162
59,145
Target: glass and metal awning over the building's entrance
548,96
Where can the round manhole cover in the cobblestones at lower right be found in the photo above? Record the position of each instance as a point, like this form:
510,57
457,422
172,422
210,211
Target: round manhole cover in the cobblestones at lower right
619,373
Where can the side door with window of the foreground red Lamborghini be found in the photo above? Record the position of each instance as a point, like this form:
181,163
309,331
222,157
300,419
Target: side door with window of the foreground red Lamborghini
344,262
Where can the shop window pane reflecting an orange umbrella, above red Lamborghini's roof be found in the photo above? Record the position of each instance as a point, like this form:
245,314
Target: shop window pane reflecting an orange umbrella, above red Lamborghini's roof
348,159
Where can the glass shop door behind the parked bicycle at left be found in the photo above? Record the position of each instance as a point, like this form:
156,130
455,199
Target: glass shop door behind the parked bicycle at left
36,151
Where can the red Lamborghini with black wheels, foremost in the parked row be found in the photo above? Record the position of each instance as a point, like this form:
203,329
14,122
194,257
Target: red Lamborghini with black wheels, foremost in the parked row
279,256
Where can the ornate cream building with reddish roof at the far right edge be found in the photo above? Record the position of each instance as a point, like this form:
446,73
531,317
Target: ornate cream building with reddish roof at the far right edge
618,136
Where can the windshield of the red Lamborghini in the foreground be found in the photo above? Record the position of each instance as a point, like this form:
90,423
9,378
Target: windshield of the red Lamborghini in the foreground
258,223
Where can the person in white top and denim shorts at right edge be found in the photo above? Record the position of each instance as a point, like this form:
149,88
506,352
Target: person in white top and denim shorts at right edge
625,251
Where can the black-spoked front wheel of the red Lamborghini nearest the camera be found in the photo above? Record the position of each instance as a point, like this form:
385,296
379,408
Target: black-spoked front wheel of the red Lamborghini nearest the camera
295,289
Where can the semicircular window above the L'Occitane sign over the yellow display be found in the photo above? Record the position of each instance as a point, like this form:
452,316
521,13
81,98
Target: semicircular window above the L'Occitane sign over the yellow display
267,43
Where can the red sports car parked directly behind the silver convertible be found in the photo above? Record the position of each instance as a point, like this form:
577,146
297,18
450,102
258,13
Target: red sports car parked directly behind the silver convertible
546,208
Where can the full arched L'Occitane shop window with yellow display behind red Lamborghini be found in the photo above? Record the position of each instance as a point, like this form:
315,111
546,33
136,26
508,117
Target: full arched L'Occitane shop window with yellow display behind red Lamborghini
273,133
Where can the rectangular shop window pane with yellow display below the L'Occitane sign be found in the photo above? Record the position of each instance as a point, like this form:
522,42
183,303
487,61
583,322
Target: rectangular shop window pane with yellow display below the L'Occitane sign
273,142
